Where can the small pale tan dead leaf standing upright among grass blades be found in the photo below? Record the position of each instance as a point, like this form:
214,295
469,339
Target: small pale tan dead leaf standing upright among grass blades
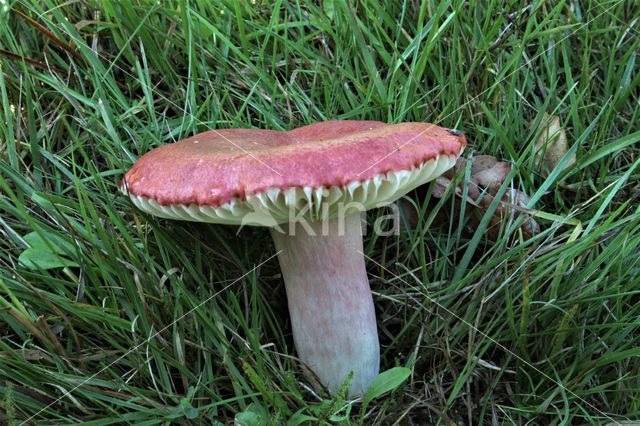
551,144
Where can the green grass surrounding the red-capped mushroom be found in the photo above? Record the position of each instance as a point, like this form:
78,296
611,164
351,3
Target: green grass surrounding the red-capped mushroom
108,315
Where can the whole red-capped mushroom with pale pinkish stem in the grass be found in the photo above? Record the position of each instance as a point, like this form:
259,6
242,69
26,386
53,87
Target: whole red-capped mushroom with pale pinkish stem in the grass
309,186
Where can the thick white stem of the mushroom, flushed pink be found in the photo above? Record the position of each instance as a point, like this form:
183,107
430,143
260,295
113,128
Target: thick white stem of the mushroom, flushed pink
330,302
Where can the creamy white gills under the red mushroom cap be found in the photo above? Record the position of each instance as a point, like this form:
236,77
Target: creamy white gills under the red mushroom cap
276,206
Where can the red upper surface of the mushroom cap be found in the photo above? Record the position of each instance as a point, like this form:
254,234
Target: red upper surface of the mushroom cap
215,167
